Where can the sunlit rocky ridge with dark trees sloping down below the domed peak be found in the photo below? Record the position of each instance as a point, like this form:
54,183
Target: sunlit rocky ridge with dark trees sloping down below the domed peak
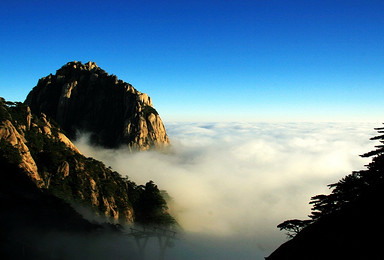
37,146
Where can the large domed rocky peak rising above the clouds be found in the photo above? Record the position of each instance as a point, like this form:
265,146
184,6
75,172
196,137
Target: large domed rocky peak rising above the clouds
83,97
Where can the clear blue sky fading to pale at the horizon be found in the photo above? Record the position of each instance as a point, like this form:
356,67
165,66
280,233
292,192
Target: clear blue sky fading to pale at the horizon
259,60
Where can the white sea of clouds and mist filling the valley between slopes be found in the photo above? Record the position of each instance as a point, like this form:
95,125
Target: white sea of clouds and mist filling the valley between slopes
232,183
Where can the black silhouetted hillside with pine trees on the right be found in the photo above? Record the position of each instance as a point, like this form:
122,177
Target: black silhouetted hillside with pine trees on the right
347,223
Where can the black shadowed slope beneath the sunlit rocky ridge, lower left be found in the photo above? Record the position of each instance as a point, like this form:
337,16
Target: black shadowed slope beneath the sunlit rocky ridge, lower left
36,225
